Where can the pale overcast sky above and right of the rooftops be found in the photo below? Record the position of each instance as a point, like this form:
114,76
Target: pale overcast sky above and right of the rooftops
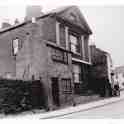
106,22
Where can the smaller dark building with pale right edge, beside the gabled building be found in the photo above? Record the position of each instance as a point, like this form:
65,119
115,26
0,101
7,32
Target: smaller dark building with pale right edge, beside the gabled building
102,73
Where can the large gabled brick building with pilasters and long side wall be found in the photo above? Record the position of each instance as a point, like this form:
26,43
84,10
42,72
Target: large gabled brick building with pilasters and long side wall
53,48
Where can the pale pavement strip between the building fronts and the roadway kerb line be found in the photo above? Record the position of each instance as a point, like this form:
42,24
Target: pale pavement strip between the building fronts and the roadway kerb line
41,114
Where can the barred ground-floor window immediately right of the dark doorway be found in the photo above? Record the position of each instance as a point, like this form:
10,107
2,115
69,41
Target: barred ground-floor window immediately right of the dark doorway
66,85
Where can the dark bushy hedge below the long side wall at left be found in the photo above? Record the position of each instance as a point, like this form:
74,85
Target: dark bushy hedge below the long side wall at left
19,95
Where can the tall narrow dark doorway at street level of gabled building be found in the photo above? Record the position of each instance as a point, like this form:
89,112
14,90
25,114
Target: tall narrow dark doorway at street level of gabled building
55,91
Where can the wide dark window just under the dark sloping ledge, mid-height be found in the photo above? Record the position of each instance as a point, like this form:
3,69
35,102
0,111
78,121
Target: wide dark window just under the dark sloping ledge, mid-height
60,56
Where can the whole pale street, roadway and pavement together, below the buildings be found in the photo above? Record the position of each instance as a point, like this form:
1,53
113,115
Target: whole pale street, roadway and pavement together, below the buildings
111,108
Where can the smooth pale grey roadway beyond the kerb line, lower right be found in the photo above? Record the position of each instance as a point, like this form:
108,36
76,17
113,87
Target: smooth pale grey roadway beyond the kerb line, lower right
113,110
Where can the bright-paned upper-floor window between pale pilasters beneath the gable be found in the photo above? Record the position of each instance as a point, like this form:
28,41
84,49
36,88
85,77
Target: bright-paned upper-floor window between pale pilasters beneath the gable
75,43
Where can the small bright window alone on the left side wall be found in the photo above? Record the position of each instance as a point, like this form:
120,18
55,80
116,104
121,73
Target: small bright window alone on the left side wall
16,45
